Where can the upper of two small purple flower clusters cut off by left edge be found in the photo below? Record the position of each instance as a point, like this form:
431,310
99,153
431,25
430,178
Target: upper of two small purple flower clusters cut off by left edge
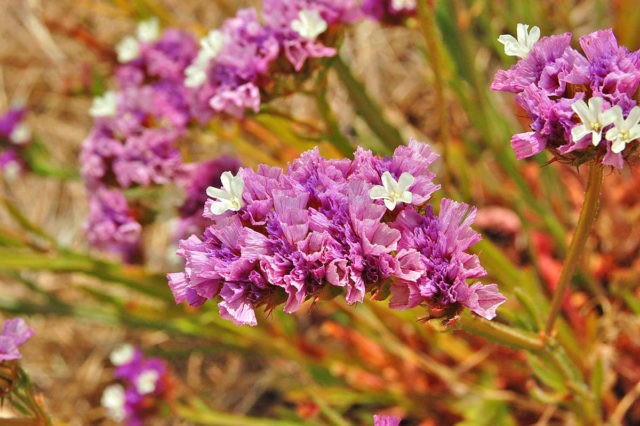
14,136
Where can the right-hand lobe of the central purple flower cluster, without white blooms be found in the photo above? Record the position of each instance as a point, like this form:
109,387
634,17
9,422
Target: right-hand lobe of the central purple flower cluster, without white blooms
441,243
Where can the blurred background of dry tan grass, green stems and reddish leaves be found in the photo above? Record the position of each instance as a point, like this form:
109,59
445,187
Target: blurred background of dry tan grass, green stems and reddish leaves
329,364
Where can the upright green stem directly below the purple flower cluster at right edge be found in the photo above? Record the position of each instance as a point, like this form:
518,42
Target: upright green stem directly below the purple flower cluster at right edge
587,216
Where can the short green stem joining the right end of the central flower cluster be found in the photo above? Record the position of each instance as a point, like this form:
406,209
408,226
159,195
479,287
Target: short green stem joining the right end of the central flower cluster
501,333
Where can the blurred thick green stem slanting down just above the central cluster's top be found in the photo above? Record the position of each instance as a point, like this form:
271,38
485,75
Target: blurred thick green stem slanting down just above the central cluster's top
366,107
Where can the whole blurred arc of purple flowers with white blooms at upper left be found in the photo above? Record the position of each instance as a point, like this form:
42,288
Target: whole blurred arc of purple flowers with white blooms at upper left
166,81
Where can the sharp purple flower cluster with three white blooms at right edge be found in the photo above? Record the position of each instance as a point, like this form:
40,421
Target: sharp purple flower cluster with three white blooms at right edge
582,106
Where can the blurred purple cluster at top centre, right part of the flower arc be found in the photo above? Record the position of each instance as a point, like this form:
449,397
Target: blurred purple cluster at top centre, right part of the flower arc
238,62
